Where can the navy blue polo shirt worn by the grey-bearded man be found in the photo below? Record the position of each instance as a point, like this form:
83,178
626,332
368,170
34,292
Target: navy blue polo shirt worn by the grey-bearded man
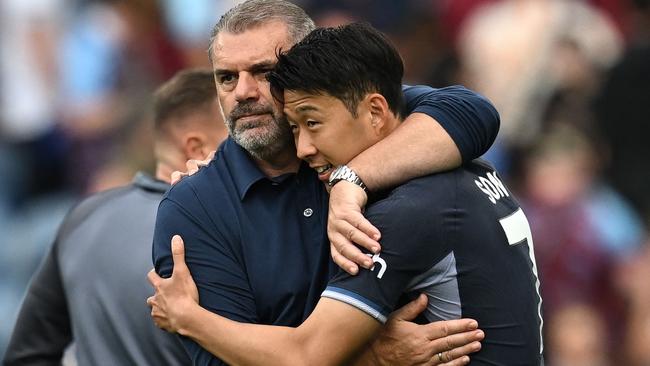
257,246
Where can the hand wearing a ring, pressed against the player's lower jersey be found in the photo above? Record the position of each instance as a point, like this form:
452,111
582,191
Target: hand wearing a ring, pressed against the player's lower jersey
448,343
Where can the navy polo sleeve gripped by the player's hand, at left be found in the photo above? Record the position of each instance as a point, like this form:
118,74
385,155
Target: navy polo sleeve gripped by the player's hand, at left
222,283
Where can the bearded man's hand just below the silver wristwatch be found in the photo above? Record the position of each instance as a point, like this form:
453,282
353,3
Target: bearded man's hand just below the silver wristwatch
346,226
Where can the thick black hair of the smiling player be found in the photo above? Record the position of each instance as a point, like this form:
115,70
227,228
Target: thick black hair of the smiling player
346,62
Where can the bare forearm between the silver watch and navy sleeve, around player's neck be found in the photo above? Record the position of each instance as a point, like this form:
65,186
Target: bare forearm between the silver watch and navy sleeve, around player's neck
419,146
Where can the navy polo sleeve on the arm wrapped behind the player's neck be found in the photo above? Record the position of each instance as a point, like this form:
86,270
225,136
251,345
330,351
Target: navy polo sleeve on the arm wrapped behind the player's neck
469,118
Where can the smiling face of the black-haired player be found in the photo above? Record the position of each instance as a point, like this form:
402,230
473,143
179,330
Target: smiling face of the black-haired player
325,132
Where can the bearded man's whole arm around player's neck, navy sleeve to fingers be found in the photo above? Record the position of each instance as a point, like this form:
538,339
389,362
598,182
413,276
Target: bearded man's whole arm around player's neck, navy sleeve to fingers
444,128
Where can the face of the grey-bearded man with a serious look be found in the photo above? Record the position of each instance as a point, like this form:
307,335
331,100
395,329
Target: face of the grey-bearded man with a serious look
240,64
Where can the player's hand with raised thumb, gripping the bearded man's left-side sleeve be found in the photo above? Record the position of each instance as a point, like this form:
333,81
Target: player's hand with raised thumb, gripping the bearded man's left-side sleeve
175,296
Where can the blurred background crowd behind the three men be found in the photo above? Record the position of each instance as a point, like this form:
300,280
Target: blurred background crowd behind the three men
570,78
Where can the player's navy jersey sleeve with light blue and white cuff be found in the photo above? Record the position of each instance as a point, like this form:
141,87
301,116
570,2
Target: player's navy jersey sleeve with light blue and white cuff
411,243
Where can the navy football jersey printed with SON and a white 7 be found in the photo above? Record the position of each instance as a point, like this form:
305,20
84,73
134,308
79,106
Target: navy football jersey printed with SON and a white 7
461,238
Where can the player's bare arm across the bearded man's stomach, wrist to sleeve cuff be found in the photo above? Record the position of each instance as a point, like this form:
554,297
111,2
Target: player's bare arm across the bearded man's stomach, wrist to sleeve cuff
328,337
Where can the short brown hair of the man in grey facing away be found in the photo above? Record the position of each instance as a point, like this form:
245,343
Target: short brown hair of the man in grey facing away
184,93
